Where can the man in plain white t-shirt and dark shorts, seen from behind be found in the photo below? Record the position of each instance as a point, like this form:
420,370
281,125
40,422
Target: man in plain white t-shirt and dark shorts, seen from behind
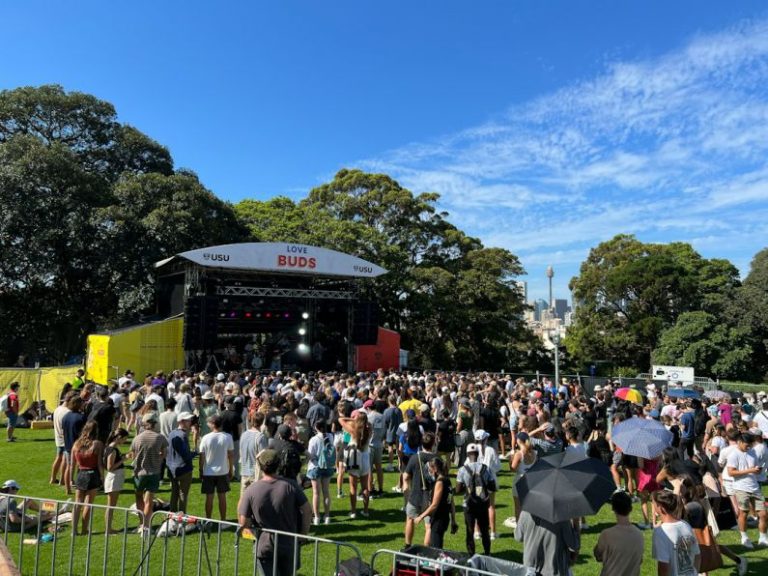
216,463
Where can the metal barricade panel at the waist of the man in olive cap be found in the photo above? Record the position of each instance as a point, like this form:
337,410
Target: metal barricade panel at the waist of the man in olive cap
184,544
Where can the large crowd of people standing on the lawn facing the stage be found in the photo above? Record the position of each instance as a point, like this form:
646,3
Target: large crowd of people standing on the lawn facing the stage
277,434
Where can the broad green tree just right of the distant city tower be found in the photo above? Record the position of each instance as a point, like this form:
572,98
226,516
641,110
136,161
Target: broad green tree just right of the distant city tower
627,293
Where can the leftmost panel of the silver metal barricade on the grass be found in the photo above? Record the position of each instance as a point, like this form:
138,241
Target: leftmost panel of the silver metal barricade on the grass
60,551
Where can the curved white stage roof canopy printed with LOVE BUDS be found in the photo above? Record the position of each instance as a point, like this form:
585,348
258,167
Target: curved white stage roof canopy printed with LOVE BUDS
279,257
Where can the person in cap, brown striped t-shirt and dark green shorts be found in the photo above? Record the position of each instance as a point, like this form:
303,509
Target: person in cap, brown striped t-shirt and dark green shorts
148,449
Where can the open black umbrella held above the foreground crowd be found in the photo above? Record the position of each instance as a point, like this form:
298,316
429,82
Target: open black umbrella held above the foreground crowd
565,486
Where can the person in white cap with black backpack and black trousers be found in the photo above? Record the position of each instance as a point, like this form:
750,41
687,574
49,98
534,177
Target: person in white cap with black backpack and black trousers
475,511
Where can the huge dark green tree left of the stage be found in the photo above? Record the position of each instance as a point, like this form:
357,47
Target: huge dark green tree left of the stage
88,205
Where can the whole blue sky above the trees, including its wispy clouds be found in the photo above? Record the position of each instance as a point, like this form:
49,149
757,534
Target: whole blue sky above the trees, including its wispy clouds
547,127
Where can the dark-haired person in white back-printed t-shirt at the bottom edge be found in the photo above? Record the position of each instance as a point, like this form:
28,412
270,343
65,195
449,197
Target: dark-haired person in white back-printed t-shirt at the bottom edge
674,546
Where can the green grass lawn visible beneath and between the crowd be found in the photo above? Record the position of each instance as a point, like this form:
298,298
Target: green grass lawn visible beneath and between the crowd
28,462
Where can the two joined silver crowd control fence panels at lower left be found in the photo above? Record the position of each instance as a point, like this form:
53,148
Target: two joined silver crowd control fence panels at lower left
44,544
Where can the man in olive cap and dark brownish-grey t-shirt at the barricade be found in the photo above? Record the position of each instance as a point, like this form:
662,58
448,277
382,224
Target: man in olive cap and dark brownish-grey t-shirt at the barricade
275,503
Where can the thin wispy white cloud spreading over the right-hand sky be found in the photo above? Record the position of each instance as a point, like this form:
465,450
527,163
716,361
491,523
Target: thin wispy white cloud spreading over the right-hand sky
670,149
